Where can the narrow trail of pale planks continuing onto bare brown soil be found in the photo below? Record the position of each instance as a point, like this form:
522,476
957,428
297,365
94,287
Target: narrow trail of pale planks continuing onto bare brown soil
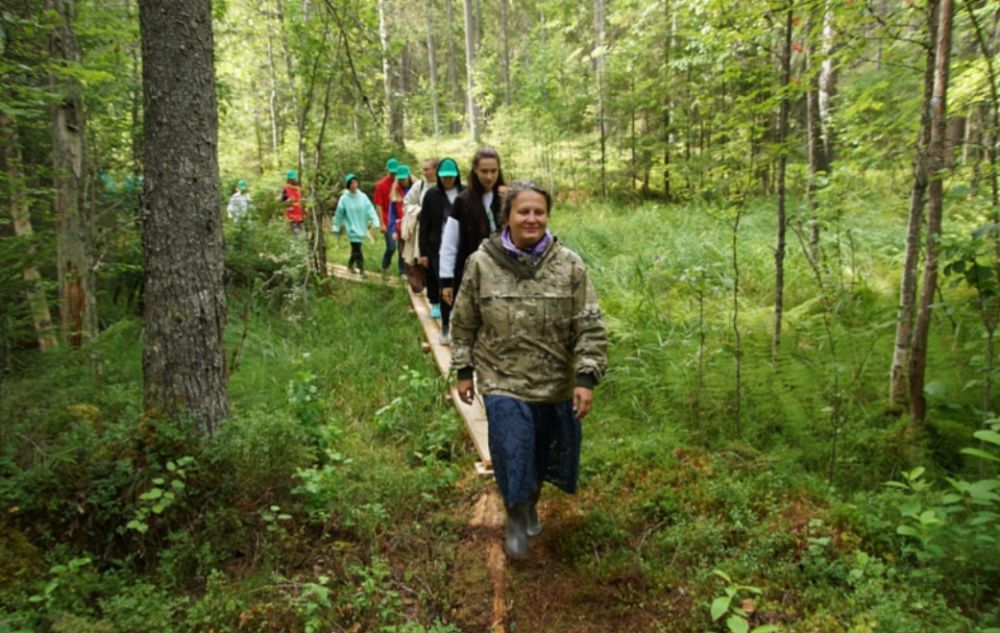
548,592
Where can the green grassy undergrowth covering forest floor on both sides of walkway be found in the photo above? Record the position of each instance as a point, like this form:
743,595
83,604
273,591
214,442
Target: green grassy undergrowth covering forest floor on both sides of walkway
336,496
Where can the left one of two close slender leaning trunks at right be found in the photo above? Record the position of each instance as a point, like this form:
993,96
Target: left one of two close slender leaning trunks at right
908,281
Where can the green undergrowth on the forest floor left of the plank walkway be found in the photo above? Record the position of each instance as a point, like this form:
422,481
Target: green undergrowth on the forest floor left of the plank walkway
326,497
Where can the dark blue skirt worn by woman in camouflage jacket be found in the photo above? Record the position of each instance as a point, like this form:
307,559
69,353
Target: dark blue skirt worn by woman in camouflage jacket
531,443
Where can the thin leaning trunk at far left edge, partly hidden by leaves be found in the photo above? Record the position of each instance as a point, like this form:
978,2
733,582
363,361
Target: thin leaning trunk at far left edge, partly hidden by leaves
17,197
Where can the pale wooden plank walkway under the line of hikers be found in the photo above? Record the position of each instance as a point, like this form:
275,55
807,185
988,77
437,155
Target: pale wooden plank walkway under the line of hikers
473,415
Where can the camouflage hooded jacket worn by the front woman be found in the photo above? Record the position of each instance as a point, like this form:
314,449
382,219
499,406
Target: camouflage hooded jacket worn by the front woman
530,330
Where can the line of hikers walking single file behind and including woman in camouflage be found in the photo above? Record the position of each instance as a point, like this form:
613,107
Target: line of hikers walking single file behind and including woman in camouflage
516,307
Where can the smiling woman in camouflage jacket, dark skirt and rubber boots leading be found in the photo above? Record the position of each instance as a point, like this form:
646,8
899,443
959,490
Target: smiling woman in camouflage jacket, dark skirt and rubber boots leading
527,322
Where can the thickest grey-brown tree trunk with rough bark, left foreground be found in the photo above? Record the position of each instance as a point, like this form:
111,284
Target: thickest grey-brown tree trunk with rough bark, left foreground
184,303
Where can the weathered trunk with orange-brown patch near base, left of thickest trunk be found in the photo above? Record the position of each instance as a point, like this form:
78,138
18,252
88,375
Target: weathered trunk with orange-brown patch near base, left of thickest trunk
77,281
